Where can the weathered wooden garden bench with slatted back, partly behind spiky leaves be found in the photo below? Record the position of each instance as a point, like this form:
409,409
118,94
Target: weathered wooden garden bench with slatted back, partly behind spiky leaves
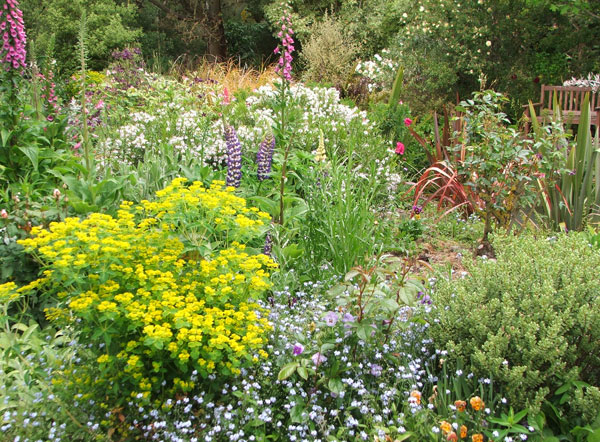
569,99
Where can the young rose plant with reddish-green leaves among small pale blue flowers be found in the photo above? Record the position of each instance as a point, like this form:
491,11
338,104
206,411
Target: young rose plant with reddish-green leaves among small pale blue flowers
367,304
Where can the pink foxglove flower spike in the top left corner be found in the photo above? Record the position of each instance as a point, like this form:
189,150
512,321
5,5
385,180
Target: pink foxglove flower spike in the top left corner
12,31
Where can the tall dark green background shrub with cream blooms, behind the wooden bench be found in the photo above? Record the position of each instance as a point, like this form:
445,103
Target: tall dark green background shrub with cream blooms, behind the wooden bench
447,46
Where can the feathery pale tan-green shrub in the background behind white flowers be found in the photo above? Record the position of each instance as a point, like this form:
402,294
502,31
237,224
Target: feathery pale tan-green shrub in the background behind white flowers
329,54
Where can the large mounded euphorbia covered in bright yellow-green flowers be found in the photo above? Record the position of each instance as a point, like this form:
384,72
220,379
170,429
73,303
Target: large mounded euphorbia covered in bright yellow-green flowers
153,308
